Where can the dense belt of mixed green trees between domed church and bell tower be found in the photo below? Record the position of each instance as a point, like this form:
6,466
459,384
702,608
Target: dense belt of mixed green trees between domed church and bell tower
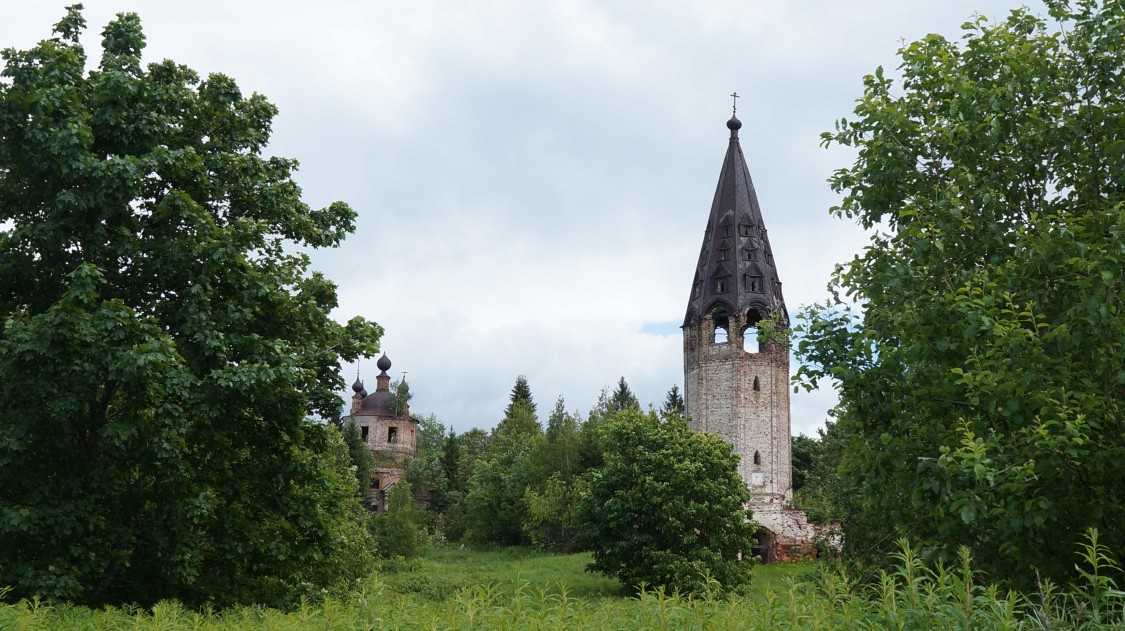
616,482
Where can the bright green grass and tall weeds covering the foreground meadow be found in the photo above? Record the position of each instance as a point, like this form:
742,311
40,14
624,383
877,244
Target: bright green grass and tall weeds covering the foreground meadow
914,597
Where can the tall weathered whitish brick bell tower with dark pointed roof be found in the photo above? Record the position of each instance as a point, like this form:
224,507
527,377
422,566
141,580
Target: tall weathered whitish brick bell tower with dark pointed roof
734,387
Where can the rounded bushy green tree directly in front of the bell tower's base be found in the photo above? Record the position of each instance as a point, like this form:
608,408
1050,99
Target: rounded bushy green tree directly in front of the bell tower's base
668,509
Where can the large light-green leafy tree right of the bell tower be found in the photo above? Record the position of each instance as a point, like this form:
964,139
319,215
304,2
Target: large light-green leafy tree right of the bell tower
980,372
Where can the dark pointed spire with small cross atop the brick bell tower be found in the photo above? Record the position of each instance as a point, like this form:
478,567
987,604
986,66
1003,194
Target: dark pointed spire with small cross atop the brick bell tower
736,268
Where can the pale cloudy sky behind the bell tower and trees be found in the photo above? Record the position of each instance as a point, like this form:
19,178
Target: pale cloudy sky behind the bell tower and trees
533,179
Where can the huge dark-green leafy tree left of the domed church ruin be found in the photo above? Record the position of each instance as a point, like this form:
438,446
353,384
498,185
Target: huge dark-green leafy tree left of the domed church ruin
160,351
